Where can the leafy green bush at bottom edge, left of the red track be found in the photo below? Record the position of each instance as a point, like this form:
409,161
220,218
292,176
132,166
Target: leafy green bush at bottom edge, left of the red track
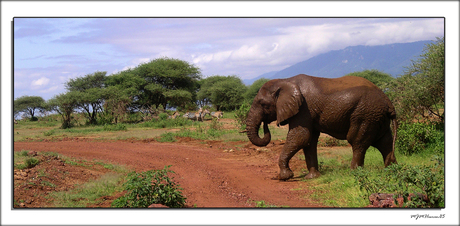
153,186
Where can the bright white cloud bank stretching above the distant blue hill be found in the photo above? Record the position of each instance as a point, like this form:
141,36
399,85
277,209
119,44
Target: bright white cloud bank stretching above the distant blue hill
291,44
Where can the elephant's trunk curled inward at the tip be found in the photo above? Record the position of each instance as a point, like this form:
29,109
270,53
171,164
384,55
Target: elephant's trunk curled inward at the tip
252,129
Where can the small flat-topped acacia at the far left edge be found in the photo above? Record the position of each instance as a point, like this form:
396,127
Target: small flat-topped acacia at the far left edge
28,105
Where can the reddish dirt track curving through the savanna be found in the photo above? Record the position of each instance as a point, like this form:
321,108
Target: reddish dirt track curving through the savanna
210,175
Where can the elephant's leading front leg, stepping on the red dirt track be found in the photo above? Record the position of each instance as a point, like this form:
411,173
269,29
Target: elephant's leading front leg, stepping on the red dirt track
297,138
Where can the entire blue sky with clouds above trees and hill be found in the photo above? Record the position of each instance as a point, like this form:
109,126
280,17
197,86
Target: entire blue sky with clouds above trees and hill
50,51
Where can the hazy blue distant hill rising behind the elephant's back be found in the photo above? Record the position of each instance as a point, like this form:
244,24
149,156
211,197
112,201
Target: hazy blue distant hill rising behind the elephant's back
391,59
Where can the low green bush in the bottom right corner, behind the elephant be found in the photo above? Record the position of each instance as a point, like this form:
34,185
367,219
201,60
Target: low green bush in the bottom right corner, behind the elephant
403,180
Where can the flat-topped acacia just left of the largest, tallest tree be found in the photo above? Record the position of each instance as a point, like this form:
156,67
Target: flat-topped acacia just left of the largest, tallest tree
90,92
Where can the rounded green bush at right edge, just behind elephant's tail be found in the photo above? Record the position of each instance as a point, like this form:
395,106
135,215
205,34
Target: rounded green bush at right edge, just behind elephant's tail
419,137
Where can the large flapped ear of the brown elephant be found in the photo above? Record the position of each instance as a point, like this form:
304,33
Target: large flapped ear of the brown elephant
288,101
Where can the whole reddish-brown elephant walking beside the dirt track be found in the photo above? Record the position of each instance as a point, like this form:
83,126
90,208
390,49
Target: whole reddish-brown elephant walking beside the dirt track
347,108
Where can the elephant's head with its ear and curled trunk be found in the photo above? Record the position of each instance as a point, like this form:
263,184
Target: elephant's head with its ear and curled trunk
277,100
